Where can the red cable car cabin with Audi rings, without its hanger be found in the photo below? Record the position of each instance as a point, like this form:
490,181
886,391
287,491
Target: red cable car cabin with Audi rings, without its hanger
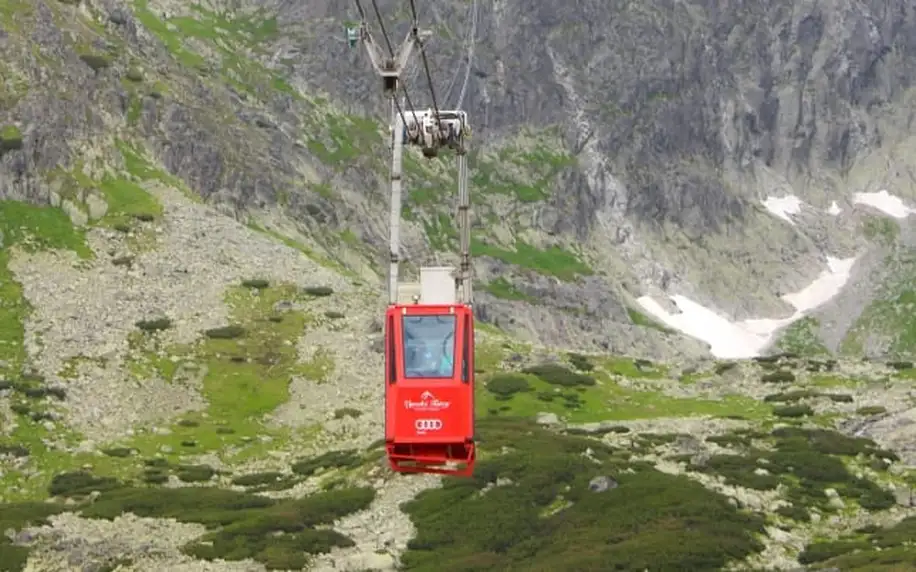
429,394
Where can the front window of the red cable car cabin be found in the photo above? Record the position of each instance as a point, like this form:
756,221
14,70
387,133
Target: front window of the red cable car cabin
429,346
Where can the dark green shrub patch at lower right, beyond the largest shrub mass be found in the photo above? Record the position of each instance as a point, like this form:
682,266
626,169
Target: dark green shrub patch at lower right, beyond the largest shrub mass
807,462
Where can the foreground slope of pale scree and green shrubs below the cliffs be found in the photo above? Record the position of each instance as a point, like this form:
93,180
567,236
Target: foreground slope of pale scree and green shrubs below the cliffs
266,408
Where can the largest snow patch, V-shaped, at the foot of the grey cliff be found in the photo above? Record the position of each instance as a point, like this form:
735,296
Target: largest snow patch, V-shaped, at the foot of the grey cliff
748,338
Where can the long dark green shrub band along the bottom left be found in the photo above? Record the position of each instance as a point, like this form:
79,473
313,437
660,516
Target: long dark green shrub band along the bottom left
278,533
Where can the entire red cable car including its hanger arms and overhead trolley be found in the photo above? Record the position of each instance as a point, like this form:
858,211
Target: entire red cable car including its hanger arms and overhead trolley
429,325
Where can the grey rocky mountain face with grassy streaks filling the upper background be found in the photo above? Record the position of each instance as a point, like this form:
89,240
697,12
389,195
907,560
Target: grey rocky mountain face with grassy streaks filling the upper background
620,148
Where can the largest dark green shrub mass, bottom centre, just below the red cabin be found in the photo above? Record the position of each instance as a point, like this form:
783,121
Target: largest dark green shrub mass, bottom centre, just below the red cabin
551,516
